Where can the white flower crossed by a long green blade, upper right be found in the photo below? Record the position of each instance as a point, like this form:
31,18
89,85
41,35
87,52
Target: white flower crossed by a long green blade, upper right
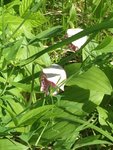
78,43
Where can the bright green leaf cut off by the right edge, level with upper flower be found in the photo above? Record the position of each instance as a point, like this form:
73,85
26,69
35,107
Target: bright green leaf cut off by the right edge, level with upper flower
106,46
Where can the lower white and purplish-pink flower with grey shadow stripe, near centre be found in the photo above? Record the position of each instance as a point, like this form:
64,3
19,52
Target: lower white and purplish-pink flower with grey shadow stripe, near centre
53,76
